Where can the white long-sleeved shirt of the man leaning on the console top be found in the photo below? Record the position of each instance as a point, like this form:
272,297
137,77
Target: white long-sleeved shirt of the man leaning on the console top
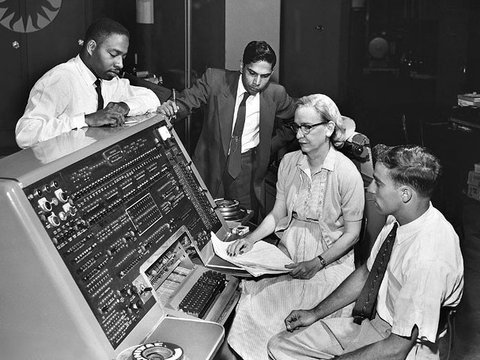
61,98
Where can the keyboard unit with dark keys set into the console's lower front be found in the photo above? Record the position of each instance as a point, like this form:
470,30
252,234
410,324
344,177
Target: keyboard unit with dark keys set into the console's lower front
185,289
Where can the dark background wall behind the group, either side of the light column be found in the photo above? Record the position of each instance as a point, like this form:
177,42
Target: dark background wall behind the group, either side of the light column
376,94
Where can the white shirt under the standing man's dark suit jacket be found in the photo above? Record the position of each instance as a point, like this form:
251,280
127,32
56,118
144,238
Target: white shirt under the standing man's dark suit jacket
250,135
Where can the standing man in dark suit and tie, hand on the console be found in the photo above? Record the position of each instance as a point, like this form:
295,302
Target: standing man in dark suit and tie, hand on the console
229,96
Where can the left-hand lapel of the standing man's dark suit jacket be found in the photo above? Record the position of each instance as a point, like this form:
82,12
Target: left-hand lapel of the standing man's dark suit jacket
226,108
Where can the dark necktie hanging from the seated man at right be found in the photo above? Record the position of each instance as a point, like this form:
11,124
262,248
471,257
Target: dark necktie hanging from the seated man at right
364,307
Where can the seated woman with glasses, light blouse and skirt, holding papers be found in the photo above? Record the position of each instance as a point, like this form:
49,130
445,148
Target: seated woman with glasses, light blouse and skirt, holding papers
317,216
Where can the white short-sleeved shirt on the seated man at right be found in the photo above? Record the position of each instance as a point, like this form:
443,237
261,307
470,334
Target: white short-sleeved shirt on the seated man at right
425,272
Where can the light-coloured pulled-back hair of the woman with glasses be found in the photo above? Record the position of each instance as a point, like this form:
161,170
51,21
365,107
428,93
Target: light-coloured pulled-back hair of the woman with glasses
327,110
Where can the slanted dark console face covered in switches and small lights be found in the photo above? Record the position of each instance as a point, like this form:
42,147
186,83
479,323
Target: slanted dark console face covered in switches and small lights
108,213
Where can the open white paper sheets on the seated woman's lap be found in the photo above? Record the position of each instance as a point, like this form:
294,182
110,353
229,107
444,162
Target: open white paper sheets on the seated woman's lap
263,258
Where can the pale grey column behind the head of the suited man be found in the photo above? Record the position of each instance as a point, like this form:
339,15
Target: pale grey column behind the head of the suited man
249,20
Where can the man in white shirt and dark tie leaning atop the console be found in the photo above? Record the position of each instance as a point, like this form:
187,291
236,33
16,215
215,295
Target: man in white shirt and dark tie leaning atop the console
72,95
